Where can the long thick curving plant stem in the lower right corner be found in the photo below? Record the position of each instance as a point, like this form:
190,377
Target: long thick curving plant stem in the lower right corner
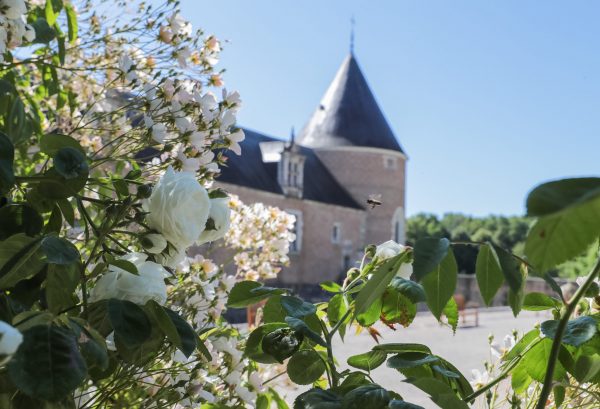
560,330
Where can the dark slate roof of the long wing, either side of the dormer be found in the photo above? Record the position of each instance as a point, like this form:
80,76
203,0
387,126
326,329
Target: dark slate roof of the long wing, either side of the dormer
250,171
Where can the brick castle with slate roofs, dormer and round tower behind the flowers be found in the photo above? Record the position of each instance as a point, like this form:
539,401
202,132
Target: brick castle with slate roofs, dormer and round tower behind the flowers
343,177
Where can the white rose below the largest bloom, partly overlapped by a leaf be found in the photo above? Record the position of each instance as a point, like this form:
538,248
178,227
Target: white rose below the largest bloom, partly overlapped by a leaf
117,283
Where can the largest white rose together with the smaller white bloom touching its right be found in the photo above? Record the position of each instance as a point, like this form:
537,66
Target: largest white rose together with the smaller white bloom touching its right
181,210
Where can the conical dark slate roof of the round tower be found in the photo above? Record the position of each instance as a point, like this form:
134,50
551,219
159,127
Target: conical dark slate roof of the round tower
348,115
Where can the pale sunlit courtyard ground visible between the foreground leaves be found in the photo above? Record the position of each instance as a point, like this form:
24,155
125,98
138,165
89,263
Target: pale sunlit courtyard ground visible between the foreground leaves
467,349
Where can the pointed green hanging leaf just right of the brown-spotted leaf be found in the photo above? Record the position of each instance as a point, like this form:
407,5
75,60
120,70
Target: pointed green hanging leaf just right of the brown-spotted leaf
440,284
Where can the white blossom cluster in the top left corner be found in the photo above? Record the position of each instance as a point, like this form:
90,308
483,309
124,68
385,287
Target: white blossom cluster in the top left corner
14,30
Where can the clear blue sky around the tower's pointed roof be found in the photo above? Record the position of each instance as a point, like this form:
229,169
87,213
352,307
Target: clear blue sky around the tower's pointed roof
488,98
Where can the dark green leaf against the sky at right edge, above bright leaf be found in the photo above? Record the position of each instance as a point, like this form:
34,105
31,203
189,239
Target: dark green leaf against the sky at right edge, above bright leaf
555,196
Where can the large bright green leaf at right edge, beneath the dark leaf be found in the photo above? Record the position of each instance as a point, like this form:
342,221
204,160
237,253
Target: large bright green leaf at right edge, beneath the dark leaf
561,236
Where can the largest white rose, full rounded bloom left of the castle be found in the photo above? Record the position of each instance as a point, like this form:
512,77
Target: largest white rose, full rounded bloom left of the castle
178,208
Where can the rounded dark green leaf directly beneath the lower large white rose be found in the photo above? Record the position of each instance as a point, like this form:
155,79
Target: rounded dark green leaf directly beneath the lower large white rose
129,321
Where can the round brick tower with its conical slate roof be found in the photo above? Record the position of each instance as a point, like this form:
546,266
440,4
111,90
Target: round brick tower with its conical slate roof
352,138
